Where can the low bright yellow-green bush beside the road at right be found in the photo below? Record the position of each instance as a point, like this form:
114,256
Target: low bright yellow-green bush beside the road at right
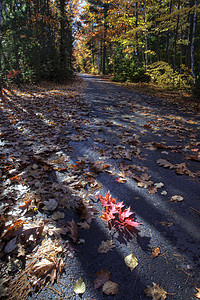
162,74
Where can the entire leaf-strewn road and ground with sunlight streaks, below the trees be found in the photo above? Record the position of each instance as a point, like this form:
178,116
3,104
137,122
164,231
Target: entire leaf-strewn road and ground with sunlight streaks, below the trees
99,193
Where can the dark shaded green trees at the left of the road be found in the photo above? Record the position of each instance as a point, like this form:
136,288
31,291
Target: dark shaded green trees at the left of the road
34,42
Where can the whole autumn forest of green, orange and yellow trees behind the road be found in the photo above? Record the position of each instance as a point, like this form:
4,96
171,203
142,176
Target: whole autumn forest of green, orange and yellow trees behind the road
134,41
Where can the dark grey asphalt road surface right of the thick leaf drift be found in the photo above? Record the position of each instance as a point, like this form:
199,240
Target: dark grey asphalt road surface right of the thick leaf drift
162,131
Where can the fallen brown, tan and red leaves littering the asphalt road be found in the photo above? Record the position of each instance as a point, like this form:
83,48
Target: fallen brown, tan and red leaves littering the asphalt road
44,183
